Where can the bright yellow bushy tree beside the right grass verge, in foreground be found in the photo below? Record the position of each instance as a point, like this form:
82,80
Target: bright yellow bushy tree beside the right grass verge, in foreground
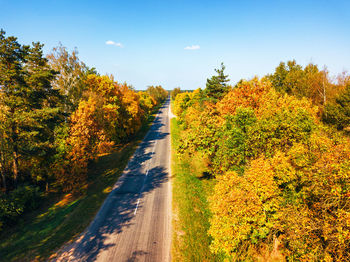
243,207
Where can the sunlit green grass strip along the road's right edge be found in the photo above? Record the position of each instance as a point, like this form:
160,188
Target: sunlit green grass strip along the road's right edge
190,206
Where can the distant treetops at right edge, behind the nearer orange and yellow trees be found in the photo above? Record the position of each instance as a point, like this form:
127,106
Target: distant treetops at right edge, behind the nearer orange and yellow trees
314,84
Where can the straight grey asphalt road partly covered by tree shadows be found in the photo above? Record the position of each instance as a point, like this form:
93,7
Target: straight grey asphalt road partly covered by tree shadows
134,223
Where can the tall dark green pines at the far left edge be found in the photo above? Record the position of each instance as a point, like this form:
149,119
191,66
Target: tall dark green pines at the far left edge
32,105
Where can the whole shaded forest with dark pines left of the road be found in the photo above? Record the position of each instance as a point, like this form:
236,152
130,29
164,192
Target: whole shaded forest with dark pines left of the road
57,116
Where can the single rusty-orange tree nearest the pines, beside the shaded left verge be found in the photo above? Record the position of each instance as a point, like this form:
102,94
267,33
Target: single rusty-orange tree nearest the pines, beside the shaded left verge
87,139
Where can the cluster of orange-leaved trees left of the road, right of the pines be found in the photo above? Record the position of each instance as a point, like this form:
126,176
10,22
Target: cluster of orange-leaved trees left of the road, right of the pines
108,114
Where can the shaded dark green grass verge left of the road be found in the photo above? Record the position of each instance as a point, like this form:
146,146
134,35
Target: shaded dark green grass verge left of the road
61,218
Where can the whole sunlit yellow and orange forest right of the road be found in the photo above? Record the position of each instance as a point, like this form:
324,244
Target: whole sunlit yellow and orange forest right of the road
278,151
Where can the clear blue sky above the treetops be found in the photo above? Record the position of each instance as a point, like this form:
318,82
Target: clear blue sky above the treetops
250,37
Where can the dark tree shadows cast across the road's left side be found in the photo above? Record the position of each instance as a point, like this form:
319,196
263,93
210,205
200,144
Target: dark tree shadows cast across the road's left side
118,209
